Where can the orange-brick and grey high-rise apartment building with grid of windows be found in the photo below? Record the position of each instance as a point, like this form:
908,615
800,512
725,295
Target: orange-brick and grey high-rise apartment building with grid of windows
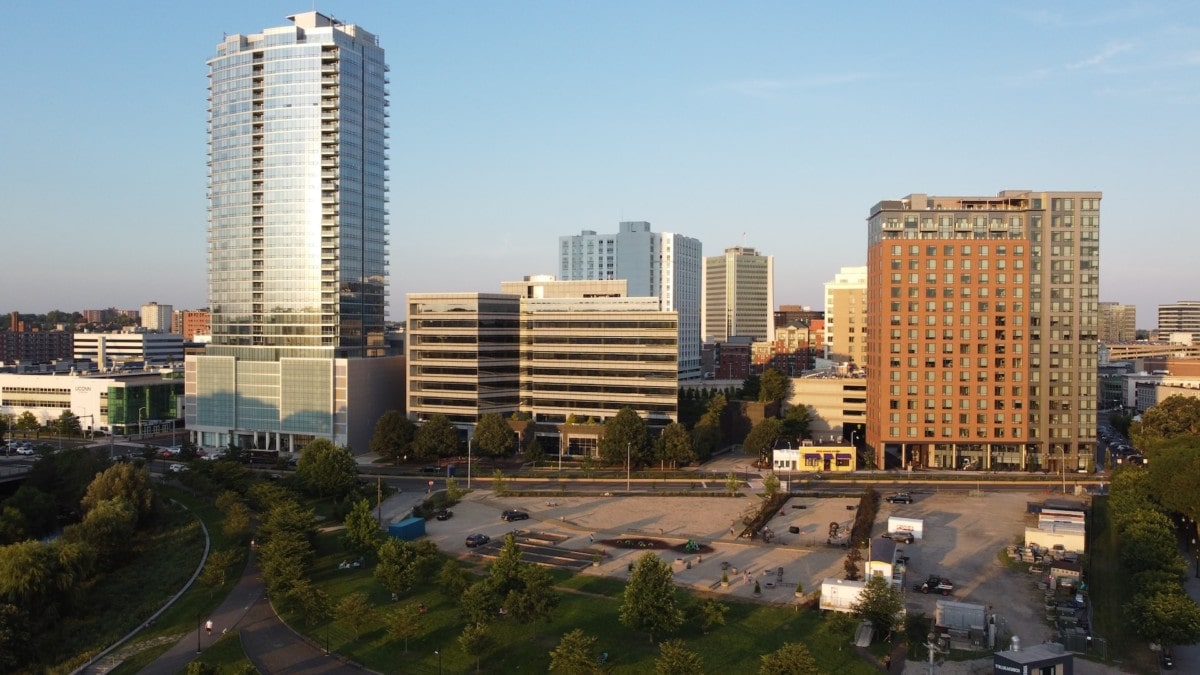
982,331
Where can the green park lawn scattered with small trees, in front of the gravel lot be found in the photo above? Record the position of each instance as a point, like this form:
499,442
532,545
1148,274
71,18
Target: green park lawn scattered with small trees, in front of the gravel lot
752,630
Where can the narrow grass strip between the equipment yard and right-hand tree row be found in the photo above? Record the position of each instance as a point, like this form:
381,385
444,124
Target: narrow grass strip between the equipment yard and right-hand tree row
1109,593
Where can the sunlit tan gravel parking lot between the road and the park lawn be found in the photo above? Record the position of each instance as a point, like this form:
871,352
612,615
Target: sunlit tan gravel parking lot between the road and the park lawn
963,536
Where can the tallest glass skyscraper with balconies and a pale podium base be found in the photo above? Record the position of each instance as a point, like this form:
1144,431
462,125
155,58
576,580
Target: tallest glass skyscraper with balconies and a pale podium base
298,226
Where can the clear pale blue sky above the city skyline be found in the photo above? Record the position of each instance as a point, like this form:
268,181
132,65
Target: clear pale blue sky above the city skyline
775,126
